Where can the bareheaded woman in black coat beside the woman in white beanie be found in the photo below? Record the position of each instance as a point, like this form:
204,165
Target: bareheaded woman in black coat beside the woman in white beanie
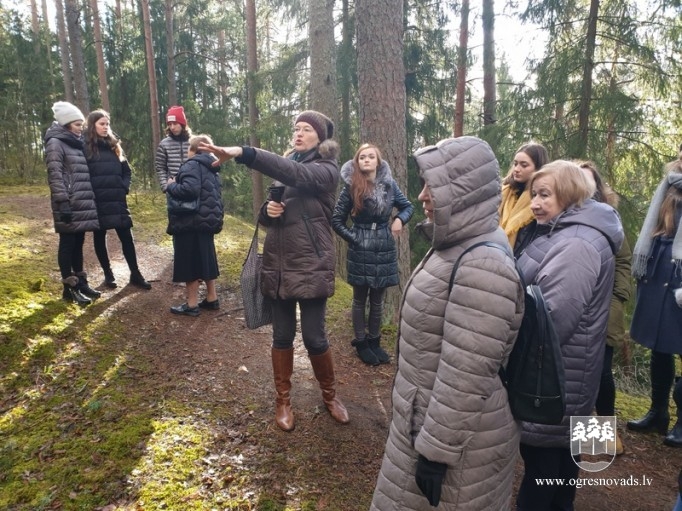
110,177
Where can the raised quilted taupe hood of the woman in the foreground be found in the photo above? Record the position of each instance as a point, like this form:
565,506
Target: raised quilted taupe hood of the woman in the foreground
463,177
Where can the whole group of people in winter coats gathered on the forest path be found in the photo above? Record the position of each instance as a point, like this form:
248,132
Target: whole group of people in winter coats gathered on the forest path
453,441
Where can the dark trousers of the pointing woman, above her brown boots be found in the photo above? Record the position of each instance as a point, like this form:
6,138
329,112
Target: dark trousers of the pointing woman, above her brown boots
313,314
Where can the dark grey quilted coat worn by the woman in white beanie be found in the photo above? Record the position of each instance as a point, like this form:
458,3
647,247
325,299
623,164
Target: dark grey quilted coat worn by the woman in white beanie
69,180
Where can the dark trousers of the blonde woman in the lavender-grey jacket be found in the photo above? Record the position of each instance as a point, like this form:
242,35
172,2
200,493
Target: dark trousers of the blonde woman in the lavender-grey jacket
546,463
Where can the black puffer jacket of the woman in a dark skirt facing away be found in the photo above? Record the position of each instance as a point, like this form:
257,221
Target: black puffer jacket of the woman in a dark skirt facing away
197,178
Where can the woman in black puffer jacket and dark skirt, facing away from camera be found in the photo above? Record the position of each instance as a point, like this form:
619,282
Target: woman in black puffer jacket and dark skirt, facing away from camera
194,248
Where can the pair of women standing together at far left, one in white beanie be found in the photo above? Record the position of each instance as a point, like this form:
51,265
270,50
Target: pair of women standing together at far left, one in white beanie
89,179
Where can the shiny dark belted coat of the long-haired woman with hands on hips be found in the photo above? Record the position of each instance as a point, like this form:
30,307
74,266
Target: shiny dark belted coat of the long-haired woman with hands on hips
372,258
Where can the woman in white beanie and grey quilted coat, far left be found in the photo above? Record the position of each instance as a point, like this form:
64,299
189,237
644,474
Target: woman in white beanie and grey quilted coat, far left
73,200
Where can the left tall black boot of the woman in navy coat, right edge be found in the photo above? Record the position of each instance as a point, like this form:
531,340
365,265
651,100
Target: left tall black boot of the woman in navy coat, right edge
657,419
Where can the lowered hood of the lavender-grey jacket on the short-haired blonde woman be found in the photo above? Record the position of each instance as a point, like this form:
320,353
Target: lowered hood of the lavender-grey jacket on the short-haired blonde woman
594,214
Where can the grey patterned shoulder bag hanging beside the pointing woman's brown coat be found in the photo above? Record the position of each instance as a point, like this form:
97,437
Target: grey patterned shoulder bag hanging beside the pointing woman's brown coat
257,308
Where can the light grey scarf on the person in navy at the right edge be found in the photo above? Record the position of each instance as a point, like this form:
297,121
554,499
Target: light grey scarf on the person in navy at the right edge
642,250
